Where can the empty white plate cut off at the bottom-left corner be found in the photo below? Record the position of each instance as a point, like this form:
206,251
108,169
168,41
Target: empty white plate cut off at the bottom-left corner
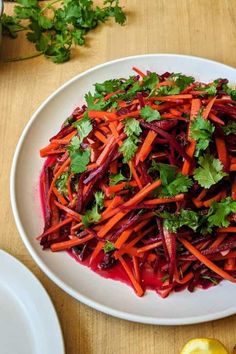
28,321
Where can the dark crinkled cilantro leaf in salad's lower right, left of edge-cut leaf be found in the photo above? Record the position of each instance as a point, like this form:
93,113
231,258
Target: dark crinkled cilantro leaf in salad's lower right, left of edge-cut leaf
172,222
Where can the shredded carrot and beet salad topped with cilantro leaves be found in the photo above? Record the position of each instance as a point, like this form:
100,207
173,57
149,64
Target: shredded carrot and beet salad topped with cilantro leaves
139,184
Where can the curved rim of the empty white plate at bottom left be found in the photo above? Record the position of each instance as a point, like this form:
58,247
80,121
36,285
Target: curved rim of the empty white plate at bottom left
14,262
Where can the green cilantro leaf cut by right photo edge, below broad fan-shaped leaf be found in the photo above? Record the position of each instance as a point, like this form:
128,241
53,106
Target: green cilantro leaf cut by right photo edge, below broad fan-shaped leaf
218,213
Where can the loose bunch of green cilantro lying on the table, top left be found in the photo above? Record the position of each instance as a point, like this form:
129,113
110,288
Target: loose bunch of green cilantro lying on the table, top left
54,30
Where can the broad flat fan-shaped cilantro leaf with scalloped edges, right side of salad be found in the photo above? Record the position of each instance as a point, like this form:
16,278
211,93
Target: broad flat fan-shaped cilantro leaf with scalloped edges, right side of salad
210,171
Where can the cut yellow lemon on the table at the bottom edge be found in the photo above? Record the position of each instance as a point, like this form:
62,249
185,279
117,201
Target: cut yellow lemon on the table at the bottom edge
204,346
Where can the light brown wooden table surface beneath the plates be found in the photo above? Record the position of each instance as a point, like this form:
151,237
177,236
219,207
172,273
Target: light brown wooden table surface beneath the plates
204,28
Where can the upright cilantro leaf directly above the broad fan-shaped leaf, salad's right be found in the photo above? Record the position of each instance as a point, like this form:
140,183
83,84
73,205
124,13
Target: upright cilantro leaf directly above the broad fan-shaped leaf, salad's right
201,131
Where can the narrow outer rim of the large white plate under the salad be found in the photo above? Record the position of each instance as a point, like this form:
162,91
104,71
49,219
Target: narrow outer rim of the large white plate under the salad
68,289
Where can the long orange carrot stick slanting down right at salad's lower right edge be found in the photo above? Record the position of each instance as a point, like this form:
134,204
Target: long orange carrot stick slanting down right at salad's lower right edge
203,259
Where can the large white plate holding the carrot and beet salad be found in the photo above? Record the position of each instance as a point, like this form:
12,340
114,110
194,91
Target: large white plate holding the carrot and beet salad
109,296
